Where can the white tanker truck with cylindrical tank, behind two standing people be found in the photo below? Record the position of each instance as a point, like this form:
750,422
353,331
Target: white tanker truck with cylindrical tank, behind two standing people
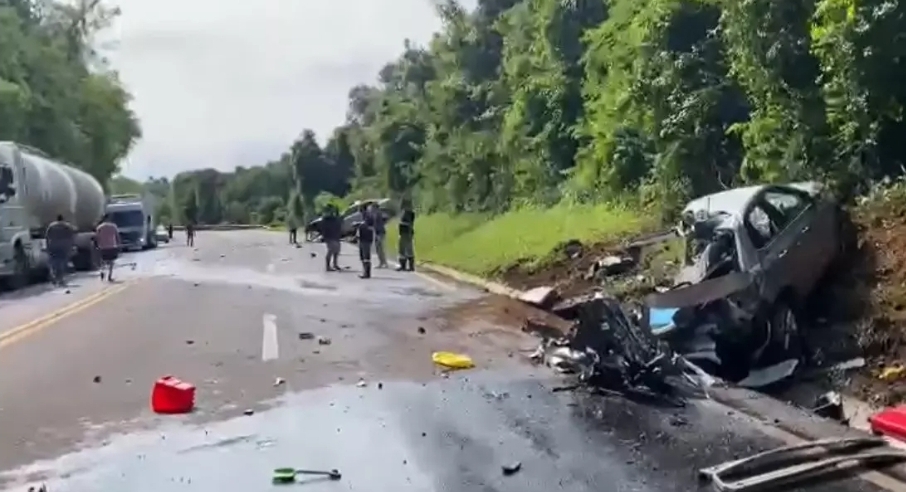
34,189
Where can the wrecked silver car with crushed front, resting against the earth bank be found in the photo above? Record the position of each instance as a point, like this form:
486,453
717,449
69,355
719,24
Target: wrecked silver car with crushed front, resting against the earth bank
753,257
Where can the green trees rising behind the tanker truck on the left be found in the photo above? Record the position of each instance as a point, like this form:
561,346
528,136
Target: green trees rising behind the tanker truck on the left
56,93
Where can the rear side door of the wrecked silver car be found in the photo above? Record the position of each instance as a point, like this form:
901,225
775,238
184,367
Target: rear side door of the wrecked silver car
796,216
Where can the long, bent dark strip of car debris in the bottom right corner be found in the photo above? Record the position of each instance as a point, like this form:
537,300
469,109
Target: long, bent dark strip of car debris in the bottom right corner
789,464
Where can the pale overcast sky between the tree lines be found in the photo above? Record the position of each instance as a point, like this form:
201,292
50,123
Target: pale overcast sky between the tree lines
225,83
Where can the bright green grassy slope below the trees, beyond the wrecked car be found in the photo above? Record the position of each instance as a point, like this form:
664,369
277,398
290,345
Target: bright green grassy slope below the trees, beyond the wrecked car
484,245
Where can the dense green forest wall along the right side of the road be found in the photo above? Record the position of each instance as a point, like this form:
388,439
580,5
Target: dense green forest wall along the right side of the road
536,101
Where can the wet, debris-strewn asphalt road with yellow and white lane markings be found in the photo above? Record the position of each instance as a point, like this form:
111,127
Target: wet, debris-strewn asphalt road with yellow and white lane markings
227,316
